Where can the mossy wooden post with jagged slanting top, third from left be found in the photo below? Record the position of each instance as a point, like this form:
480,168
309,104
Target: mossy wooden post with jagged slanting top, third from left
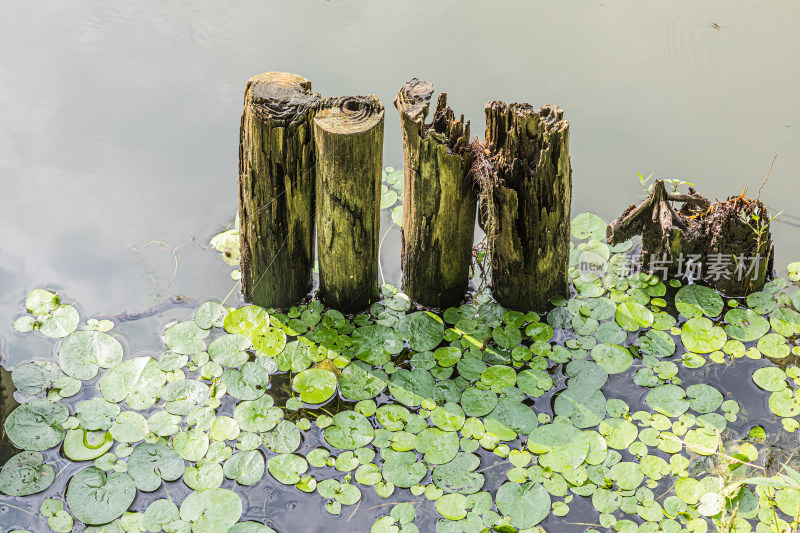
439,199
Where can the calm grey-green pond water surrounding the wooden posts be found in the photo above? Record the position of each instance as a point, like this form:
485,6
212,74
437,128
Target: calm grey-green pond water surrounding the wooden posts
118,150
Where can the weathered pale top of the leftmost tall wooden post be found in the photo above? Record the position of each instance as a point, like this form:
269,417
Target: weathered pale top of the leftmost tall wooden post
279,95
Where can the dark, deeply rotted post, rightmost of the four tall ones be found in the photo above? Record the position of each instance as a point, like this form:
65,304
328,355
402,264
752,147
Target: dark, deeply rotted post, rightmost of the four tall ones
529,210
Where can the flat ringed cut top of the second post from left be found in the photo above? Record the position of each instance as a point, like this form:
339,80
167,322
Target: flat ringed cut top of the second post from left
348,115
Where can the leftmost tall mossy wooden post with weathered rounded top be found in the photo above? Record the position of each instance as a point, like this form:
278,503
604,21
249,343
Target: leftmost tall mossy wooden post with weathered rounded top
276,189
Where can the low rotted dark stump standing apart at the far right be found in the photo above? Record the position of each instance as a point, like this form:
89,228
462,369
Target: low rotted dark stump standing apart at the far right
726,244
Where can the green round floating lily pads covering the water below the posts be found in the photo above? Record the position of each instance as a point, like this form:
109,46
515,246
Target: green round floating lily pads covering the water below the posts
602,402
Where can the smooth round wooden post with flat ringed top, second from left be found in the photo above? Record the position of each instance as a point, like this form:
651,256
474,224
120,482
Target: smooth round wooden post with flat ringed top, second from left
349,138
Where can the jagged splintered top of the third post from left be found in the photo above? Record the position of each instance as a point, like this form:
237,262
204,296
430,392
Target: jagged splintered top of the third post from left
413,101
